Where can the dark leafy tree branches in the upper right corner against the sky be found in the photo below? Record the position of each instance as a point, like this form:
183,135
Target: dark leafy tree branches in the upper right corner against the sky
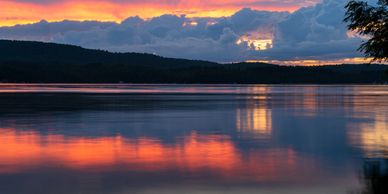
371,21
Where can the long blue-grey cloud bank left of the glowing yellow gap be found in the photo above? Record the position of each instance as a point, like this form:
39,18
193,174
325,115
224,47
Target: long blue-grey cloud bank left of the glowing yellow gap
167,35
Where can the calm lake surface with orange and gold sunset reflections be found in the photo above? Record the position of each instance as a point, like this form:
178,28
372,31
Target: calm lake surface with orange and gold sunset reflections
120,139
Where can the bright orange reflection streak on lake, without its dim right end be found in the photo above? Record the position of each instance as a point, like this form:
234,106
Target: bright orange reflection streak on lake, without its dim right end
19,147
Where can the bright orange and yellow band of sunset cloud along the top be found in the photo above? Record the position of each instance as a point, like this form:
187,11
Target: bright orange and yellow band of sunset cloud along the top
21,12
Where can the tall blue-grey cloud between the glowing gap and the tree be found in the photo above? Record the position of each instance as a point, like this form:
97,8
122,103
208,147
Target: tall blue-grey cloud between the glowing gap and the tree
316,32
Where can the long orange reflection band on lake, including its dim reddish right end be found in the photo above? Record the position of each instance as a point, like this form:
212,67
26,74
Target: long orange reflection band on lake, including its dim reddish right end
216,154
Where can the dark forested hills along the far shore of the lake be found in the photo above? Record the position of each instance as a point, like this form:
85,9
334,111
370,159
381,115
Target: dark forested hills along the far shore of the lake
37,62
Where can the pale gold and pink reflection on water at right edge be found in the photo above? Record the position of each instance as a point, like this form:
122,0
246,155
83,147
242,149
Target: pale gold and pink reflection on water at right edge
370,134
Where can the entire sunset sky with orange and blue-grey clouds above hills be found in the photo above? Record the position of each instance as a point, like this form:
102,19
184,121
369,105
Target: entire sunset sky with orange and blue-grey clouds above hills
282,31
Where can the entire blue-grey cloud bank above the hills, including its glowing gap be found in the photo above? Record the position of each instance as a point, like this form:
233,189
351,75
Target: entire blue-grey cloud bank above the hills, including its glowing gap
316,32
